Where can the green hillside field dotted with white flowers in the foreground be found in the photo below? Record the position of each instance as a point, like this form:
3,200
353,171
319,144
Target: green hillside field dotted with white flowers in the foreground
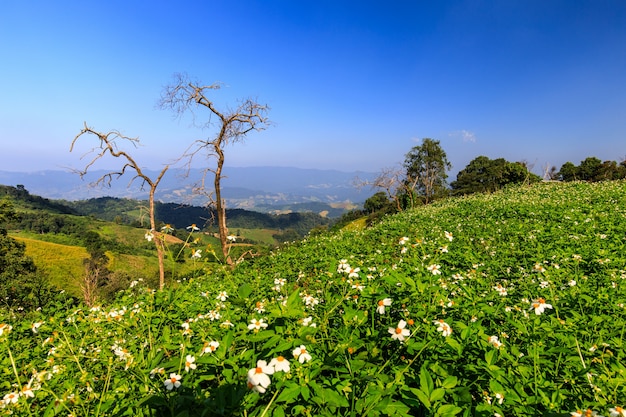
507,304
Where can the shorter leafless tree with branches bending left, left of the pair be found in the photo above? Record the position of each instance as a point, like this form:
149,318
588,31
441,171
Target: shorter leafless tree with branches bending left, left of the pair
108,145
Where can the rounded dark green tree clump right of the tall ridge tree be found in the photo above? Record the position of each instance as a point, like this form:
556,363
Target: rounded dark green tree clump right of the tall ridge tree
486,175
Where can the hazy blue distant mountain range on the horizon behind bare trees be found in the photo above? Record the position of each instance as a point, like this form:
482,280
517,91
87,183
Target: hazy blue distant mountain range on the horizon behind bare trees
263,189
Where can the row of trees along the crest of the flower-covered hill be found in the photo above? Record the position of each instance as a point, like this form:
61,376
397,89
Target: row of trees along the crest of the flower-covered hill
423,179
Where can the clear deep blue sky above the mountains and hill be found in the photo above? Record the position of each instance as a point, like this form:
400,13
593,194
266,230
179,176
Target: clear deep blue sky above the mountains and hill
352,85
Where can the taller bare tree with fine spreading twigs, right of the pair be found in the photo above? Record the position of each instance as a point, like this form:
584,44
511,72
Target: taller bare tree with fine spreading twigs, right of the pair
228,126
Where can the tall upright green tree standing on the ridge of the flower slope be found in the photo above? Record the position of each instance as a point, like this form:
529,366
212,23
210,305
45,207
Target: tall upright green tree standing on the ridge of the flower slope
426,166
